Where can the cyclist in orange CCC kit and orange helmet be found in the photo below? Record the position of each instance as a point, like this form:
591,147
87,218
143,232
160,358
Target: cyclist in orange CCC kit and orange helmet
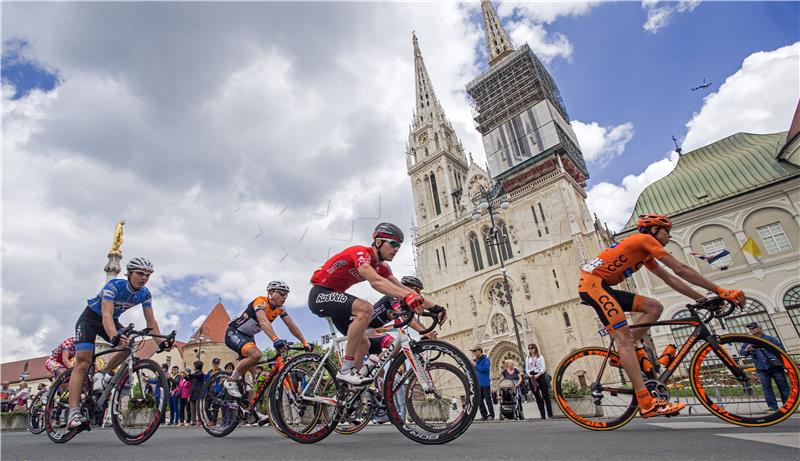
620,261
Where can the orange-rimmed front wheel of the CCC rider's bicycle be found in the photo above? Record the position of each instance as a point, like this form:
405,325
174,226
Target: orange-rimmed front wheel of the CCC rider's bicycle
728,384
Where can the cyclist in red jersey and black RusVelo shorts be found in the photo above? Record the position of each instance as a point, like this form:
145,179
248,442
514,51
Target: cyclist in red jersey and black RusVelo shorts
350,314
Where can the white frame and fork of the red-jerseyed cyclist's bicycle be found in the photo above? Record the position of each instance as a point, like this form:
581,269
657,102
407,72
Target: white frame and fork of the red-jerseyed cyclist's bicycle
402,340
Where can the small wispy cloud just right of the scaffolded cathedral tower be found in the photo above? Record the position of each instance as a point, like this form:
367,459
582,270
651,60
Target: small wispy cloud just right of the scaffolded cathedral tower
600,144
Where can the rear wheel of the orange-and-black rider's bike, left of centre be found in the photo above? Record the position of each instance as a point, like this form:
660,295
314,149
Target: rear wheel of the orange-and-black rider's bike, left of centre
220,411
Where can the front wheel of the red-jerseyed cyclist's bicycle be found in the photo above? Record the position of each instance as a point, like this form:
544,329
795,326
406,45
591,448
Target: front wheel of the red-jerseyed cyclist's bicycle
443,413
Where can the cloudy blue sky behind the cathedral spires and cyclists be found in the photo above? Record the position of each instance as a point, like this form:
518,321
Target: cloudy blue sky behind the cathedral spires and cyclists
245,142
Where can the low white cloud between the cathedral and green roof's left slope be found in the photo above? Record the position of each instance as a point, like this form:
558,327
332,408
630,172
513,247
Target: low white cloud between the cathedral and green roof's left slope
613,203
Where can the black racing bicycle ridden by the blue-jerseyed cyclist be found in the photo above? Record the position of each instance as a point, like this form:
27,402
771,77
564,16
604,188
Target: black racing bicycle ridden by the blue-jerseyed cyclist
137,395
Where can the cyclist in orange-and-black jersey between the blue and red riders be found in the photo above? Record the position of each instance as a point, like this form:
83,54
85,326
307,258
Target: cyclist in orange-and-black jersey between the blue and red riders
258,316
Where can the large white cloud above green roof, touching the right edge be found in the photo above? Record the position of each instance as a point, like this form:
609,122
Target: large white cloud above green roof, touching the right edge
759,98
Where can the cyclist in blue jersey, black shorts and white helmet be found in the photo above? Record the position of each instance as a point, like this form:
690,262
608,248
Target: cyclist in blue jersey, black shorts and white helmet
101,317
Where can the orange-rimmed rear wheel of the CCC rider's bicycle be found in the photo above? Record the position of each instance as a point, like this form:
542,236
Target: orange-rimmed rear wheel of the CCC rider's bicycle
591,392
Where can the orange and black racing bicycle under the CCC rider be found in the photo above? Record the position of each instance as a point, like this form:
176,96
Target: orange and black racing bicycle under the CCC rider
592,390
